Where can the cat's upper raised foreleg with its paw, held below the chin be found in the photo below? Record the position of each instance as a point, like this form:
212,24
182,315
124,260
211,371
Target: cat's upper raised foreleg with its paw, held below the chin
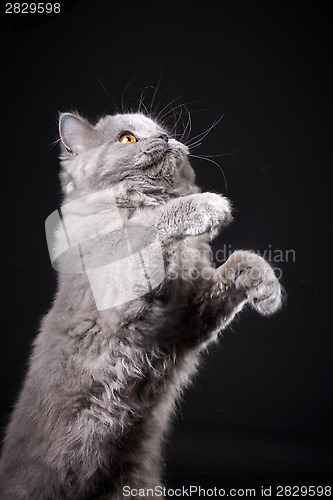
193,215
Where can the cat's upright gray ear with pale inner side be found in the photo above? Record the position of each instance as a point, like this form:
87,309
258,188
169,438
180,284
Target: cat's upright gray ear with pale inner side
76,134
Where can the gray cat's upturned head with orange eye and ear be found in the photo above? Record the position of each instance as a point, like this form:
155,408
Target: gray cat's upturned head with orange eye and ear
131,149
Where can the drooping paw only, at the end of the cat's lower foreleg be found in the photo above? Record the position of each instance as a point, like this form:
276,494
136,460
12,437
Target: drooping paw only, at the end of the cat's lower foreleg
250,274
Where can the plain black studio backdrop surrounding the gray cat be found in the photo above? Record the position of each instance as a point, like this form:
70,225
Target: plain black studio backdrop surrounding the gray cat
261,406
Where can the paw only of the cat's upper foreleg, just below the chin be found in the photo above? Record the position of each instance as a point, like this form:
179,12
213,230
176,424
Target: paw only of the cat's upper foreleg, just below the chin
207,213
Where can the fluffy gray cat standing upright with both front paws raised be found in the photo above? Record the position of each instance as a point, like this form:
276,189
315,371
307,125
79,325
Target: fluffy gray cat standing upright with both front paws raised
104,375
